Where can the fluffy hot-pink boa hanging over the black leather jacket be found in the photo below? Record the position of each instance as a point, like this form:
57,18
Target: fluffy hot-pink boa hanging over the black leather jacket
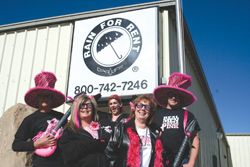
133,159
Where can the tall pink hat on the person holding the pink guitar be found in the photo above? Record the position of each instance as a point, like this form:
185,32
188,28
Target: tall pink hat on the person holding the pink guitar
45,83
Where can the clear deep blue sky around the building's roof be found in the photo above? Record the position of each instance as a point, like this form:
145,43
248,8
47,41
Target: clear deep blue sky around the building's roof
220,31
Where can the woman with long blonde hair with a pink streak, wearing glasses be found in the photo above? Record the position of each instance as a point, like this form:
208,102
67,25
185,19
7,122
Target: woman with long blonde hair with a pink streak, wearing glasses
85,138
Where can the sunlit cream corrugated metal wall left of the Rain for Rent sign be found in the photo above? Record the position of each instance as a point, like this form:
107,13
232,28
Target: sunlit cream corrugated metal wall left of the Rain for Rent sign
25,53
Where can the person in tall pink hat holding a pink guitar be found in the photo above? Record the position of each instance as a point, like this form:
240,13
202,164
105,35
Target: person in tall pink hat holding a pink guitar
43,97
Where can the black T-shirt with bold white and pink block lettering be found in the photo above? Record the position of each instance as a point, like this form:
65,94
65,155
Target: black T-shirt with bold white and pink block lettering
171,124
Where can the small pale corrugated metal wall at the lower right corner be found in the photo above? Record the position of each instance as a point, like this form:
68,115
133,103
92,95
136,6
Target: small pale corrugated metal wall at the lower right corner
240,149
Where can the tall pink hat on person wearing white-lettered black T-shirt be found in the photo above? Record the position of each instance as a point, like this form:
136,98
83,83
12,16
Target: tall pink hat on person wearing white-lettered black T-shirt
178,83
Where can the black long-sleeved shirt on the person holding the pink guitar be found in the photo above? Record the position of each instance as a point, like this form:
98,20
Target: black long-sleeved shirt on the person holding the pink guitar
29,128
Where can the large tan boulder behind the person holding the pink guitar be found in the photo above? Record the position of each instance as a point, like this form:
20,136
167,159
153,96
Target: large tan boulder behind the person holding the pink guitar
9,123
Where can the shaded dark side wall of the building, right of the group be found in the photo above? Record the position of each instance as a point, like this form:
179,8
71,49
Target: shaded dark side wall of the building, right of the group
214,150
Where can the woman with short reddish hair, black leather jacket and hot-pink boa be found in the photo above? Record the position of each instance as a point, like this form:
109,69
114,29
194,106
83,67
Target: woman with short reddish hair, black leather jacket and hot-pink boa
136,143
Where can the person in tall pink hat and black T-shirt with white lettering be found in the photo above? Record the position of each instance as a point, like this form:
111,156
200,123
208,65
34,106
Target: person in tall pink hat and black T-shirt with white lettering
172,118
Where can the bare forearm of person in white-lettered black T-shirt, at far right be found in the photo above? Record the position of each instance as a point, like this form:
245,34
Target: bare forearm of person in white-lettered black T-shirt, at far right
194,152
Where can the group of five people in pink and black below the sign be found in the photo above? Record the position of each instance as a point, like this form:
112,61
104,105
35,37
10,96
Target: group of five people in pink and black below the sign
149,135
